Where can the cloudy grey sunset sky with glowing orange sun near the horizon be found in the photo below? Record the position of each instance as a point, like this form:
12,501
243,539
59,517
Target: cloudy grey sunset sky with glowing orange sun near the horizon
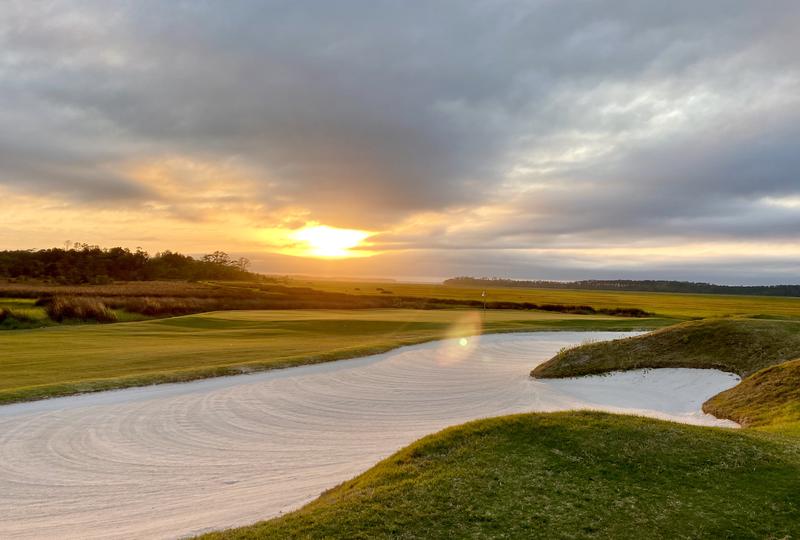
526,139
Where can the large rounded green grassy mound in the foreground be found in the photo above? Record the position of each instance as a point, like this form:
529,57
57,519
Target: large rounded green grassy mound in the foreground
563,475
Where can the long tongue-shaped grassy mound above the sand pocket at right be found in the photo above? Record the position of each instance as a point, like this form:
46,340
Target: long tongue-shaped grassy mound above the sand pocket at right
742,346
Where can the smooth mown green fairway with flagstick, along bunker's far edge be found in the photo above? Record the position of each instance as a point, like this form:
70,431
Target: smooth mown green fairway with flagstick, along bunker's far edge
65,360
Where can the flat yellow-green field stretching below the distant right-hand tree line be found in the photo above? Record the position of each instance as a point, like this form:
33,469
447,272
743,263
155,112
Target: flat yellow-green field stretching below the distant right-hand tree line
665,304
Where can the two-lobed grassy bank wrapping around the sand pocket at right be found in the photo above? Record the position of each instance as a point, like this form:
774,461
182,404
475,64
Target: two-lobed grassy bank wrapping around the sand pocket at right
766,353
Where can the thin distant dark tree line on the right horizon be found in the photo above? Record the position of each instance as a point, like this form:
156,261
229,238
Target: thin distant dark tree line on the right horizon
632,285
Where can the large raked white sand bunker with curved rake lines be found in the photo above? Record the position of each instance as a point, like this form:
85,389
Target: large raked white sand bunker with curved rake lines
171,460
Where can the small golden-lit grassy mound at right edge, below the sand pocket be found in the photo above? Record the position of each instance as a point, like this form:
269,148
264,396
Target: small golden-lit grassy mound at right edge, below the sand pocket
767,398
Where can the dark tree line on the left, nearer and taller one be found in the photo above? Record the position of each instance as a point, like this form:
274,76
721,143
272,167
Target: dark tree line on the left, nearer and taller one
84,263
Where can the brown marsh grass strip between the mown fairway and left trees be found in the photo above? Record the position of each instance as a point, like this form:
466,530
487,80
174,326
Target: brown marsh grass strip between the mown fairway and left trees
154,299
